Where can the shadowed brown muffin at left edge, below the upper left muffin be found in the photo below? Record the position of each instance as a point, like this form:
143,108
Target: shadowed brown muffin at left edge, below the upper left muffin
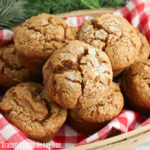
12,71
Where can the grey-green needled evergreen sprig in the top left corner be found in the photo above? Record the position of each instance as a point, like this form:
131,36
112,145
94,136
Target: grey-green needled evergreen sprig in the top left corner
11,13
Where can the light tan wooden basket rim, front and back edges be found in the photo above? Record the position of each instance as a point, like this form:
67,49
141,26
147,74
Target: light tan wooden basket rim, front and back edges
120,142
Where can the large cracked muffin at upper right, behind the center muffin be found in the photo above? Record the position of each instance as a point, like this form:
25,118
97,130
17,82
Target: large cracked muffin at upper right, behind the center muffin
115,36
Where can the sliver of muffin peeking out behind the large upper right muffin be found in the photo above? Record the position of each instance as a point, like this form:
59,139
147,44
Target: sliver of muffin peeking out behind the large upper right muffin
144,49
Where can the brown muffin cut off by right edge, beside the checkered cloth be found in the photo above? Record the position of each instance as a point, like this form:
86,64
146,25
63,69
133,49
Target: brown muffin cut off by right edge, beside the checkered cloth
136,86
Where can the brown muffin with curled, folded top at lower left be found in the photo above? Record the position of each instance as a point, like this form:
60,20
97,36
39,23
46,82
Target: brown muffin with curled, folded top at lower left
28,108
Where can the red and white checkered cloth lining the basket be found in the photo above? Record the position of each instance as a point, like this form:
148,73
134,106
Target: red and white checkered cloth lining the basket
138,14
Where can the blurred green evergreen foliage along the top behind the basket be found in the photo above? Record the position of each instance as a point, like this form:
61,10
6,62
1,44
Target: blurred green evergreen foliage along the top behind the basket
13,12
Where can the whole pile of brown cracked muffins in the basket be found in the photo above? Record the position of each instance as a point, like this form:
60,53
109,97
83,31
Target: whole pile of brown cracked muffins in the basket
77,68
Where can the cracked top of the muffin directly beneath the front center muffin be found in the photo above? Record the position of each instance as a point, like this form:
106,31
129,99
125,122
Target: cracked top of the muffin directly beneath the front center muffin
107,108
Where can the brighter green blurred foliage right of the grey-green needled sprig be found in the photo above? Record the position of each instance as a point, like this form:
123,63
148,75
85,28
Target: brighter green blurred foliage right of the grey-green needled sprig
35,7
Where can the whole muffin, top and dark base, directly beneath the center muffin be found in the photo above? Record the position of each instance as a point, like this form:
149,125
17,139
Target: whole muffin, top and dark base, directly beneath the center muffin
91,119
